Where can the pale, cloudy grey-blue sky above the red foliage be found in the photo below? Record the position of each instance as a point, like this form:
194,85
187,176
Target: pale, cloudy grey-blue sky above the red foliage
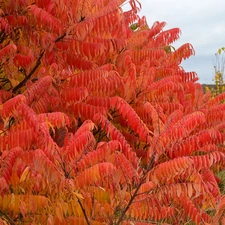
202,23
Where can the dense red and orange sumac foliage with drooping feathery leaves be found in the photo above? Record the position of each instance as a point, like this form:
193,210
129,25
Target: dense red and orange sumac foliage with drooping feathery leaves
99,122
